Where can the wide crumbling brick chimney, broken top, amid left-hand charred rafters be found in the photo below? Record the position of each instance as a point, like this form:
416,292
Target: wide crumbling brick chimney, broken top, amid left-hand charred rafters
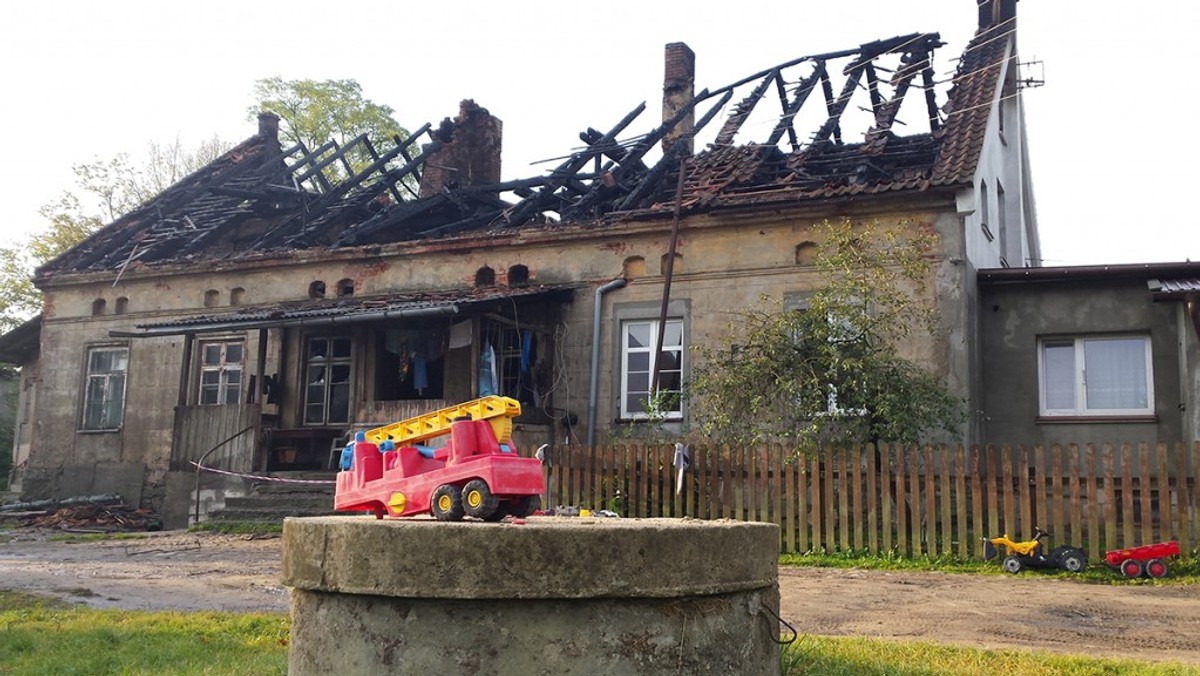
471,152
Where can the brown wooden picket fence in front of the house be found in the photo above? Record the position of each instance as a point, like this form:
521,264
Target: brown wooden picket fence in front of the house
911,501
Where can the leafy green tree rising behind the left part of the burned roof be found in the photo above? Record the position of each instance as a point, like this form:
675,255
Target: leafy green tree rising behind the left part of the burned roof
314,112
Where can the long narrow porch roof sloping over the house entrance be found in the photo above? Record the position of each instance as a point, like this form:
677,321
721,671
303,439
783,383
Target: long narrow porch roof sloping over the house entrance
351,310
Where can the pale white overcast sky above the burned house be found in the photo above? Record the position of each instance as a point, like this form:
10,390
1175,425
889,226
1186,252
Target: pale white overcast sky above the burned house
1109,134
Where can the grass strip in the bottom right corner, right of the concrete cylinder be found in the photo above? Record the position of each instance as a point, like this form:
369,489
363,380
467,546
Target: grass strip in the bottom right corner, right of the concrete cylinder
821,656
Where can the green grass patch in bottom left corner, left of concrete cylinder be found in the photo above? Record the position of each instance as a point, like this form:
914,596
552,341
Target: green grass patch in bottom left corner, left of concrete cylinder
50,637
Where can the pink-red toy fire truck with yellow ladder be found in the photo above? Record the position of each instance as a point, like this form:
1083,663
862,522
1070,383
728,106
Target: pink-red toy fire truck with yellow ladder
476,474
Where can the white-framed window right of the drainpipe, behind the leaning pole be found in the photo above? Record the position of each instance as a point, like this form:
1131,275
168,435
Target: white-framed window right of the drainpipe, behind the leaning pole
639,340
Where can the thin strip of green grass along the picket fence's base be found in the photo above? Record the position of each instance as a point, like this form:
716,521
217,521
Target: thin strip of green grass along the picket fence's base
1184,571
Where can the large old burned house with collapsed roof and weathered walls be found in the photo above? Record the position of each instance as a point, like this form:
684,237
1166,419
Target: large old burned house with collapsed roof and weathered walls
268,304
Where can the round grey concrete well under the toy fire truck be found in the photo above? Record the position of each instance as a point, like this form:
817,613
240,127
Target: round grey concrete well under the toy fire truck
553,596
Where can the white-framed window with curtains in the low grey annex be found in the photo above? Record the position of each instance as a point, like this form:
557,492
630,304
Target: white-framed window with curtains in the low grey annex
1096,376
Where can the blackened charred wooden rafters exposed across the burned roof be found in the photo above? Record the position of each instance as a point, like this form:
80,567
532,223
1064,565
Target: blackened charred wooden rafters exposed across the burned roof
314,199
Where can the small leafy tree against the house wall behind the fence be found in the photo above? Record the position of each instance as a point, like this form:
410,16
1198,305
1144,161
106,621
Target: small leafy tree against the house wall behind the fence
831,372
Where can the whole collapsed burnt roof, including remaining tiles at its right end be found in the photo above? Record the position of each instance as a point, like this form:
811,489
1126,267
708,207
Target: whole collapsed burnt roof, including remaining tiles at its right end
262,200
